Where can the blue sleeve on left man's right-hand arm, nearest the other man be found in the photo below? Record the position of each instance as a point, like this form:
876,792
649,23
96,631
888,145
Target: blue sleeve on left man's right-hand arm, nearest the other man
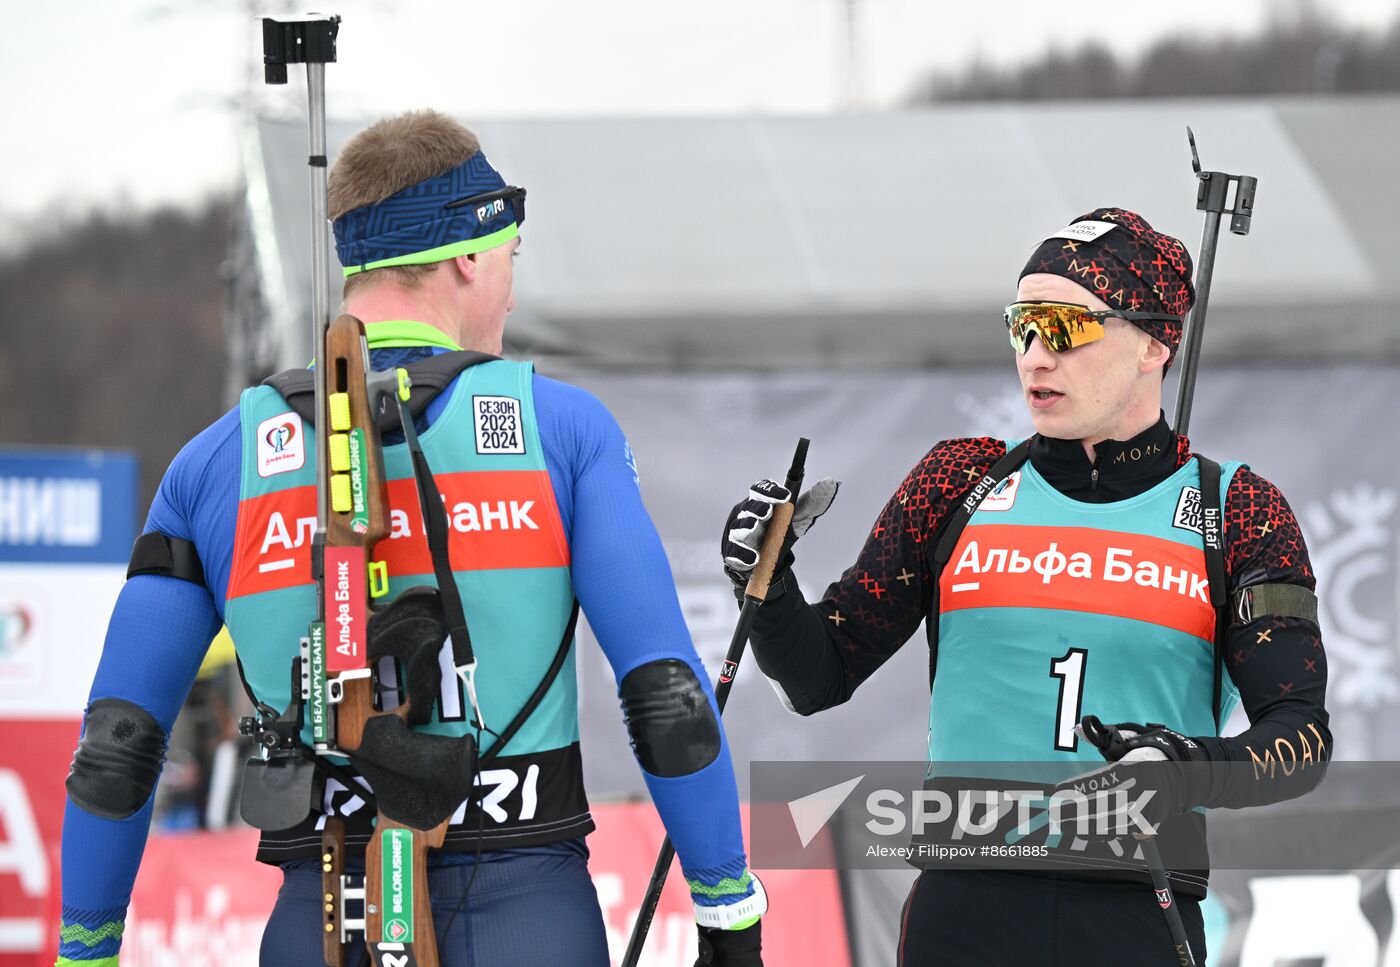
624,583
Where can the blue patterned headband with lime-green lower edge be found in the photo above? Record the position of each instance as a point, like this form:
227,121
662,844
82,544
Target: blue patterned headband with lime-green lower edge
464,211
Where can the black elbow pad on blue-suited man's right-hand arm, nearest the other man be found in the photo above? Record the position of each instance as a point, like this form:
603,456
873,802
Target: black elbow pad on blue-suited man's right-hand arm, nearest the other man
673,727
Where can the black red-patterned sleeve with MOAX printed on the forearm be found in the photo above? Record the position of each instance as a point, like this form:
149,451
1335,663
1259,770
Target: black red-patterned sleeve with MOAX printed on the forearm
1277,663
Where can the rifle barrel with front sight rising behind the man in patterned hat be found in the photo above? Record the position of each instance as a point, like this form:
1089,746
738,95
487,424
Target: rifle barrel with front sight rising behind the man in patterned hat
1212,192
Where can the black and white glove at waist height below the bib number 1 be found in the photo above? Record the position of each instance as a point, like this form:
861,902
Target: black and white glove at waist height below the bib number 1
1150,766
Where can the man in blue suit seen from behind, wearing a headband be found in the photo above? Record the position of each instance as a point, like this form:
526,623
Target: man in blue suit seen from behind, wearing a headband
542,496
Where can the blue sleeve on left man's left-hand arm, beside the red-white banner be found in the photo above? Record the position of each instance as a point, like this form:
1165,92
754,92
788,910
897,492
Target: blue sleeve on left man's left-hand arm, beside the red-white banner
156,642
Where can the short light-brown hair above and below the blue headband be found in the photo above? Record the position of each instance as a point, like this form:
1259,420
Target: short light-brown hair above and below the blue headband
388,157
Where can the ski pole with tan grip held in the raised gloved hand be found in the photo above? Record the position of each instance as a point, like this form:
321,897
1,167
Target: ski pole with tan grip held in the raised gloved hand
754,595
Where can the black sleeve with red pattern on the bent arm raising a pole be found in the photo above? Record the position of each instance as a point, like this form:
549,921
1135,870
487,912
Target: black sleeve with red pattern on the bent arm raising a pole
820,654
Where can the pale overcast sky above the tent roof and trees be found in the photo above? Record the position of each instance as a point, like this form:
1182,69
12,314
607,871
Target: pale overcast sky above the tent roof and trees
136,103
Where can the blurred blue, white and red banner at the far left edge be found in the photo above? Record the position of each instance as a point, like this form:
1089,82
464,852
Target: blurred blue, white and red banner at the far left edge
68,520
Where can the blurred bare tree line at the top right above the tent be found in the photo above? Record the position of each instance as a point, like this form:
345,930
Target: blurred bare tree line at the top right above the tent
1300,52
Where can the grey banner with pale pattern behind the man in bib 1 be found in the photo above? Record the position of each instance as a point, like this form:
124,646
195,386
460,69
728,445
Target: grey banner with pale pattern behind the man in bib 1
701,440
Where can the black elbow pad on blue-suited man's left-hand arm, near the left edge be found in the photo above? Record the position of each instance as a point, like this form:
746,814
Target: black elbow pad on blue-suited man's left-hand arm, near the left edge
118,759
